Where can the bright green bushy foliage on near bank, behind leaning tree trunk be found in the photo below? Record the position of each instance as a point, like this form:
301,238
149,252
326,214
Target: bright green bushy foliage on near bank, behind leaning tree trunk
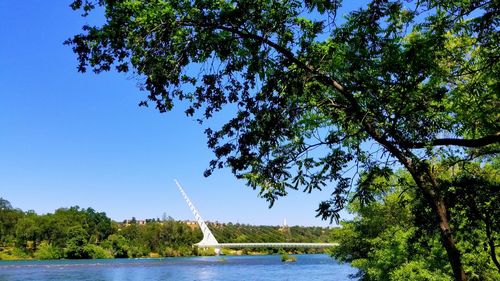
392,238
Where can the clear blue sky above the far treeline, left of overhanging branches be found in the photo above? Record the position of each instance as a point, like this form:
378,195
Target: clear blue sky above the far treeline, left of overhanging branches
80,139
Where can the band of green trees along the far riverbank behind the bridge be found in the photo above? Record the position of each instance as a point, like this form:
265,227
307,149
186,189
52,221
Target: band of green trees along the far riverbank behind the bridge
78,233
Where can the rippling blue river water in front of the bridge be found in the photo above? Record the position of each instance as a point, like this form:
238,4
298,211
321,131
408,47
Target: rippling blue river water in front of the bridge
227,268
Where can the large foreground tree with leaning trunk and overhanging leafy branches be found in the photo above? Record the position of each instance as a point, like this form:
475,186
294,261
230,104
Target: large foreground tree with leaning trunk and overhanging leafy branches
313,94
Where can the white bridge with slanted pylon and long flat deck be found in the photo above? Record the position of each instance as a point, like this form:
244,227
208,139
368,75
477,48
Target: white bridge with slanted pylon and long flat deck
209,240
